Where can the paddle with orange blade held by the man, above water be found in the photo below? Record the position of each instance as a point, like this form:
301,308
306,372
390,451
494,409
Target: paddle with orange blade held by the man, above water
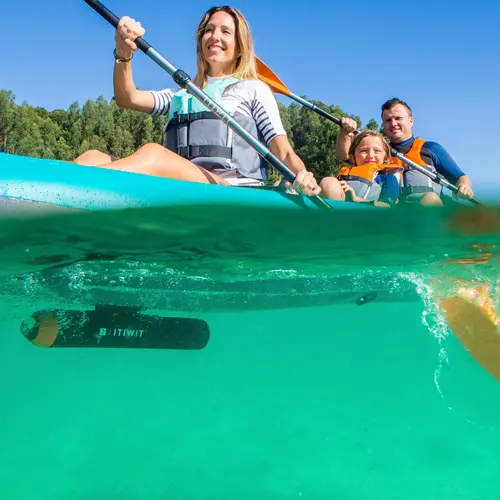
268,76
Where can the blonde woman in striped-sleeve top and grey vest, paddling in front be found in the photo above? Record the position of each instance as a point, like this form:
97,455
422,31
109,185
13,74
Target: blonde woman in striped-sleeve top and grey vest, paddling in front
201,148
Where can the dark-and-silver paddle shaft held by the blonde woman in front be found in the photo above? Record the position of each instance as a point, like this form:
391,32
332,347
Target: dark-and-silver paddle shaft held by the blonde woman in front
184,81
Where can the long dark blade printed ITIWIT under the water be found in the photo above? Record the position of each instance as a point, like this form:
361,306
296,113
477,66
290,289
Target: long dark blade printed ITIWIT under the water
114,327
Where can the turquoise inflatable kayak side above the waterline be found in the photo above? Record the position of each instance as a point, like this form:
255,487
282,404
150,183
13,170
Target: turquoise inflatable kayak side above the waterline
89,188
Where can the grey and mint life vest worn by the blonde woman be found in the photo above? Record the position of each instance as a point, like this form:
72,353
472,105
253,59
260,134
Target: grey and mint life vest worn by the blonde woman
194,132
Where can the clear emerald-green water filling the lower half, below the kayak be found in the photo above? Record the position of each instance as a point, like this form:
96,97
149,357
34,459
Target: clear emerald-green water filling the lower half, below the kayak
301,393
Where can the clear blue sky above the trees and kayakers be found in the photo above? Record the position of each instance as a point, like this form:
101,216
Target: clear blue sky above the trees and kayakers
440,56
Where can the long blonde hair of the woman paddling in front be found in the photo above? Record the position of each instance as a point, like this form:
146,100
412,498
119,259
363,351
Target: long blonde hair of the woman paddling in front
245,62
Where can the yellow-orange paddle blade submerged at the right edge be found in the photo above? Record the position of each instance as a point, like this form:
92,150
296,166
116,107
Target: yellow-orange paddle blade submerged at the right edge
478,330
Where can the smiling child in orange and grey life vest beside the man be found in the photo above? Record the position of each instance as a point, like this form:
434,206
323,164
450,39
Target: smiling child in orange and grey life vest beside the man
369,178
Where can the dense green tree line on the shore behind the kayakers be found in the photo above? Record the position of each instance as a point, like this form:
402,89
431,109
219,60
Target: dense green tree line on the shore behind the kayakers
65,134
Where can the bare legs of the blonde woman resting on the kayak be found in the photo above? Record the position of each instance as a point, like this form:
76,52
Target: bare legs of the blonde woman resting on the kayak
155,160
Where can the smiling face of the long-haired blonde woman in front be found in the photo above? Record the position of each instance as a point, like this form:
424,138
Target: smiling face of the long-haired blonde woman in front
219,43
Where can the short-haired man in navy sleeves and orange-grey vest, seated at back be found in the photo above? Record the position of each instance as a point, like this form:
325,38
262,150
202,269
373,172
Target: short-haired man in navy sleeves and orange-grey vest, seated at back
397,121
